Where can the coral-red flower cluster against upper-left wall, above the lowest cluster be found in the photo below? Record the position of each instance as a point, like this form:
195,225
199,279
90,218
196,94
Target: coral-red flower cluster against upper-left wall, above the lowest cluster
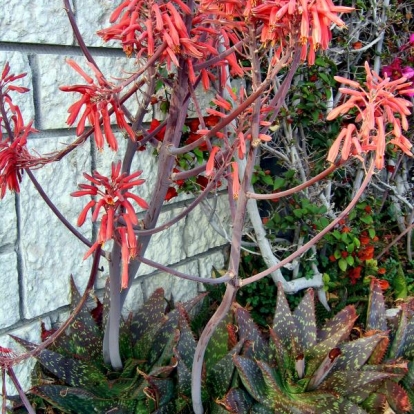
95,100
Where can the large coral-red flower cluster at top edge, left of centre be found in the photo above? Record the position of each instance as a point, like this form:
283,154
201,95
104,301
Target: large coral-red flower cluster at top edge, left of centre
145,27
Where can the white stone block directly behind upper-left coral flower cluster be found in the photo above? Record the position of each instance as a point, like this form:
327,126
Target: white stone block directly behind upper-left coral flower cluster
53,72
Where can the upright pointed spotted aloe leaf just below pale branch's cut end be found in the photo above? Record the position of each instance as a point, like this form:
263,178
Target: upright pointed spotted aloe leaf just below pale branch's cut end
305,321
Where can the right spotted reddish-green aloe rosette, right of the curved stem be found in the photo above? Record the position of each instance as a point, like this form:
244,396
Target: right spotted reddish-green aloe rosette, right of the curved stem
303,369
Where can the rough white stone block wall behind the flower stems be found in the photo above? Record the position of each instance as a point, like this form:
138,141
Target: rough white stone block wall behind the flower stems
37,253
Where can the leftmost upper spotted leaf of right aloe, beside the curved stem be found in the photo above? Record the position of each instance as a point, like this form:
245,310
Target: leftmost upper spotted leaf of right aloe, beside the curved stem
249,331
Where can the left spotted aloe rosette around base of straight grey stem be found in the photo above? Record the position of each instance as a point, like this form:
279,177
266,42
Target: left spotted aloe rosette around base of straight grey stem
156,347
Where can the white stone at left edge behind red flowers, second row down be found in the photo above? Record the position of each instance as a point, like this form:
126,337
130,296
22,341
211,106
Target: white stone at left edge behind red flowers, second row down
19,63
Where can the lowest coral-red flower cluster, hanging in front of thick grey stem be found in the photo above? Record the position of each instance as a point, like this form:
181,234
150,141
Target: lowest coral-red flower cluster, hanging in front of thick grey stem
113,200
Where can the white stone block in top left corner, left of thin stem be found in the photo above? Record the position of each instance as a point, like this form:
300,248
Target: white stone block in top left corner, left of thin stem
40,21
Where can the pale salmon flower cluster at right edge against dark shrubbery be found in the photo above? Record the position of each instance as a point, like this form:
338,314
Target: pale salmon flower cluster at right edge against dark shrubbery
378,106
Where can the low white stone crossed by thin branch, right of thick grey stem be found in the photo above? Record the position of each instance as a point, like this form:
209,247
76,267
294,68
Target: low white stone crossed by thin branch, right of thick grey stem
180,290
